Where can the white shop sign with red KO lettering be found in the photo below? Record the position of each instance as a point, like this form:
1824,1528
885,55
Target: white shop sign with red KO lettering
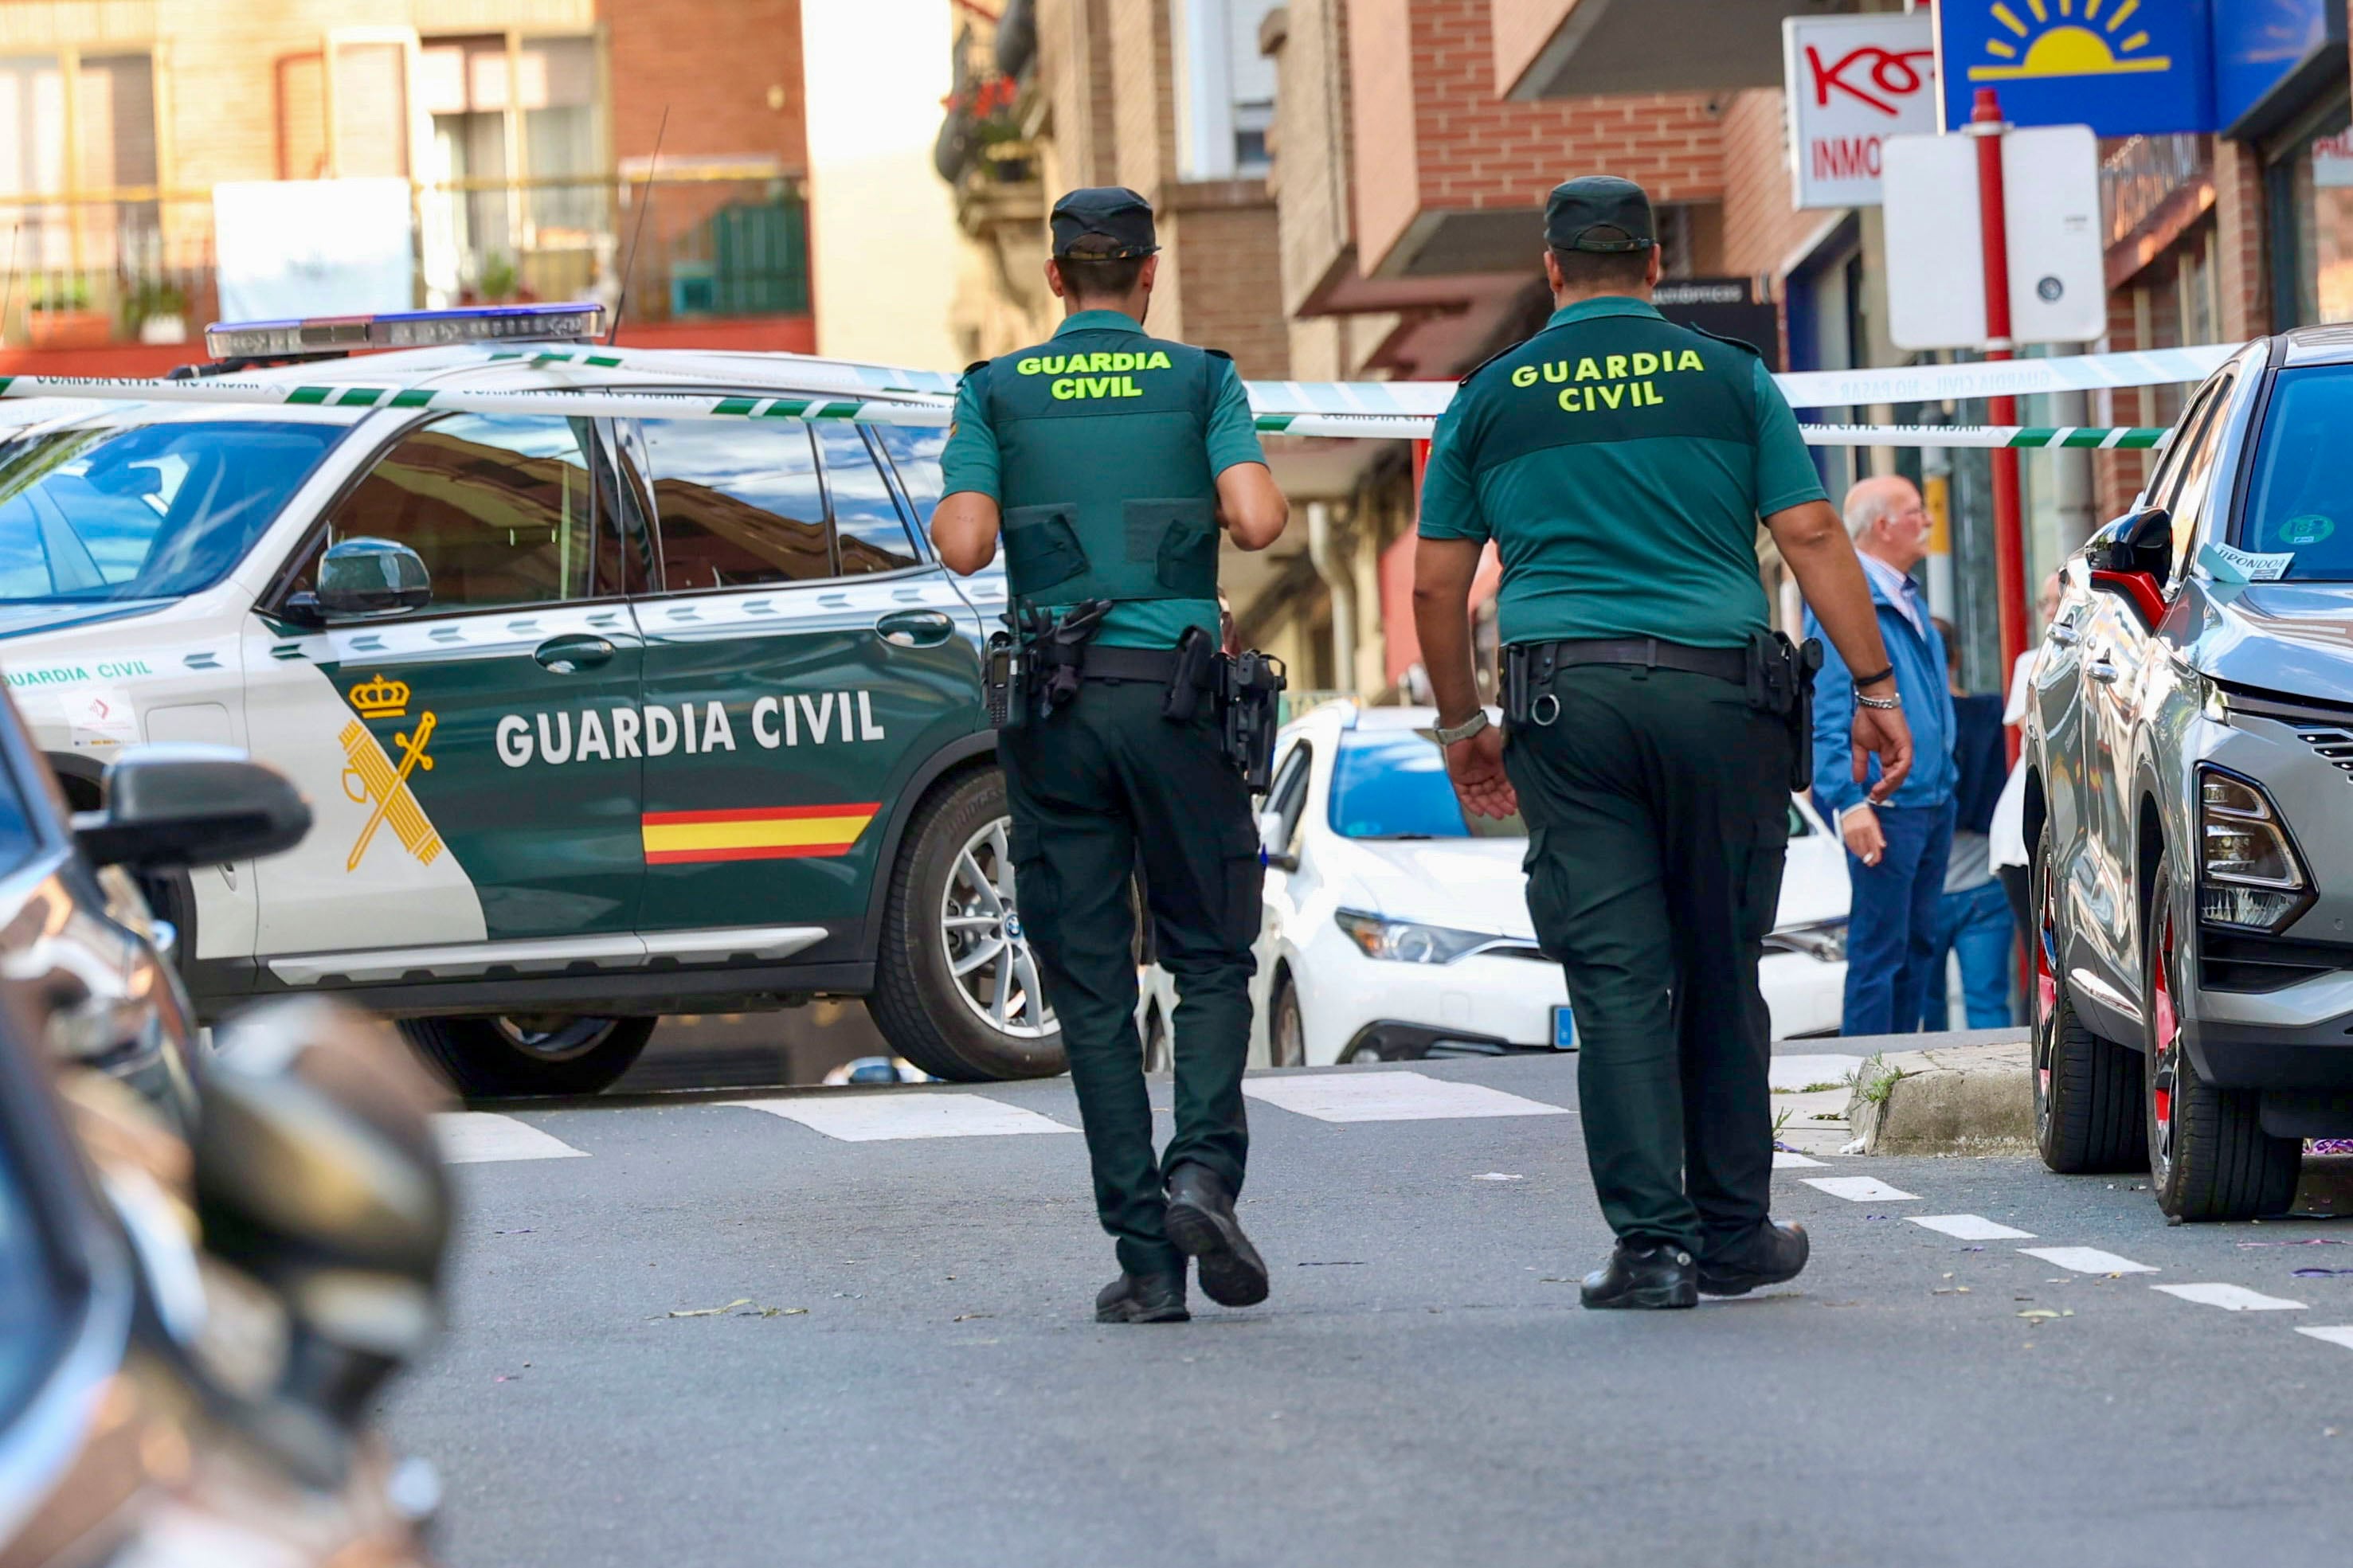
1851,83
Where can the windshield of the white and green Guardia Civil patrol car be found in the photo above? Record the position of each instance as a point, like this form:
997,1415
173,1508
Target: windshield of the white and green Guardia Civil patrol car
145,511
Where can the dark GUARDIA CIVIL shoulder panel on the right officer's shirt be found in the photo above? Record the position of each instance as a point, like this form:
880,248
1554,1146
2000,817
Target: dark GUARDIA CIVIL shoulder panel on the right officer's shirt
1613,380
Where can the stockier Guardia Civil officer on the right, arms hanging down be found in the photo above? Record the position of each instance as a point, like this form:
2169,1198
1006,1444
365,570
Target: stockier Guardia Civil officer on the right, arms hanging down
1653,721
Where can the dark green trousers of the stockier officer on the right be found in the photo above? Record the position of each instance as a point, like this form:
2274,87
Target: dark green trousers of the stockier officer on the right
1658,812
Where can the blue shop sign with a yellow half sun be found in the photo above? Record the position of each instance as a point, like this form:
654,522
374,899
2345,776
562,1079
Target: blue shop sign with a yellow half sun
2121,67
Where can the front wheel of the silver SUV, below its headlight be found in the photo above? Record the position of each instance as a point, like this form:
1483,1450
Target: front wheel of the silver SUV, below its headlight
2208,1151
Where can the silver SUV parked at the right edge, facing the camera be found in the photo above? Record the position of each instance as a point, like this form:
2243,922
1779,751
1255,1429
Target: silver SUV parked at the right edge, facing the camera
2192,803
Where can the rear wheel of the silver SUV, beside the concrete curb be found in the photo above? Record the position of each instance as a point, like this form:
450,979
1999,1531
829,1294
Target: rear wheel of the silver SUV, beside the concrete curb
2086,1090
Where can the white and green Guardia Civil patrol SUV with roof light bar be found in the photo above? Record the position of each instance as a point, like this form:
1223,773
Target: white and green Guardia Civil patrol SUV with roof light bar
604,713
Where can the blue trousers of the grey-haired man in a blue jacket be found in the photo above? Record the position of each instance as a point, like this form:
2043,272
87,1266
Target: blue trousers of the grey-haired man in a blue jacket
1893,920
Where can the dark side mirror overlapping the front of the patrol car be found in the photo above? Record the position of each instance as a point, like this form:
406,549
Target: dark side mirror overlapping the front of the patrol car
192,805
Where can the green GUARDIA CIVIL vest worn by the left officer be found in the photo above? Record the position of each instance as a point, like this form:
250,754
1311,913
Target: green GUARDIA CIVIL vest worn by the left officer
1105,469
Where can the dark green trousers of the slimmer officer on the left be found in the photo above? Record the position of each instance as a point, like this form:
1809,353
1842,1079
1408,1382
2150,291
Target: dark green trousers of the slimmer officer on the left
1105,789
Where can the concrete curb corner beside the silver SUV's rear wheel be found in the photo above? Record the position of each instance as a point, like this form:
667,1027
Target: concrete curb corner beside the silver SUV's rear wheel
1945,1101
